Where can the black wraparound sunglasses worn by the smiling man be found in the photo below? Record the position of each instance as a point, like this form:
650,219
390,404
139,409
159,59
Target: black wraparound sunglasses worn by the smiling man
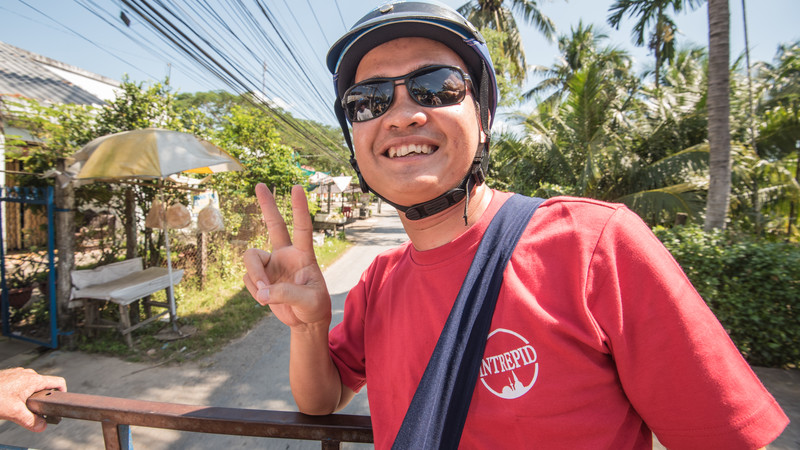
430,86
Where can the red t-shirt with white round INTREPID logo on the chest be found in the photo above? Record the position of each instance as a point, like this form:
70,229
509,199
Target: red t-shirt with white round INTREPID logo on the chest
598,337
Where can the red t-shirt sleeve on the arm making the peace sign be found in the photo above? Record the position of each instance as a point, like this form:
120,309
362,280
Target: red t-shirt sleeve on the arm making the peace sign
346,340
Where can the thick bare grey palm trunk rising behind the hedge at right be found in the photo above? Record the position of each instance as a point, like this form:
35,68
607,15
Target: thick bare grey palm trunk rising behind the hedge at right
719,186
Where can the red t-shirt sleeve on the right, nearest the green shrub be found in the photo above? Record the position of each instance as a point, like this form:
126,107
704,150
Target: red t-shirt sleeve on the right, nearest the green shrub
676,363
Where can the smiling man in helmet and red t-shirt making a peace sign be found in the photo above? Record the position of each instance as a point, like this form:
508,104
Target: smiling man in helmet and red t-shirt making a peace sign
597,338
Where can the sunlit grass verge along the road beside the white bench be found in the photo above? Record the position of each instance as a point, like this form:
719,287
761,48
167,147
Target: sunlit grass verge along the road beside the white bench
221,312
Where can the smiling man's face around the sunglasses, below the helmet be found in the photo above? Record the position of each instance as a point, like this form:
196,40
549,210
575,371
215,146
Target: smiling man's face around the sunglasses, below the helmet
412,153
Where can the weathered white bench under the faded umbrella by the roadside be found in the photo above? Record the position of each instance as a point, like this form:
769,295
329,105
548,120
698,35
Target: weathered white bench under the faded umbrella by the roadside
122,283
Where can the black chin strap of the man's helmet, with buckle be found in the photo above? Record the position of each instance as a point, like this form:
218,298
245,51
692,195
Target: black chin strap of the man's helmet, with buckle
475,177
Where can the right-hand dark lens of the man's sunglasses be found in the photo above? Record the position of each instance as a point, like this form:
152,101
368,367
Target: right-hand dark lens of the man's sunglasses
440,87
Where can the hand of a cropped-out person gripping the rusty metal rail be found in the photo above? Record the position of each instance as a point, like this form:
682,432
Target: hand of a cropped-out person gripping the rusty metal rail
16,385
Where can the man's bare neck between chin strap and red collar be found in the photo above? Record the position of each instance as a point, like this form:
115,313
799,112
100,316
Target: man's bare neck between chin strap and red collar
439,229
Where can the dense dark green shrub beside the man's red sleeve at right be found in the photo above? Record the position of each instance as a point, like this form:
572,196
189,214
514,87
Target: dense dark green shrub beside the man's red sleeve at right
752,286
